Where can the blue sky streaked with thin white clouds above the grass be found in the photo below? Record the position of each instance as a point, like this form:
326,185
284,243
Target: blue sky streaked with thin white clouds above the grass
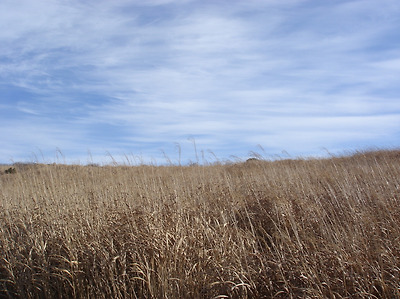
182,81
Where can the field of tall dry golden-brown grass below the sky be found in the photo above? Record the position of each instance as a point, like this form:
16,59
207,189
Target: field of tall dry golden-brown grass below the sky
315,228
